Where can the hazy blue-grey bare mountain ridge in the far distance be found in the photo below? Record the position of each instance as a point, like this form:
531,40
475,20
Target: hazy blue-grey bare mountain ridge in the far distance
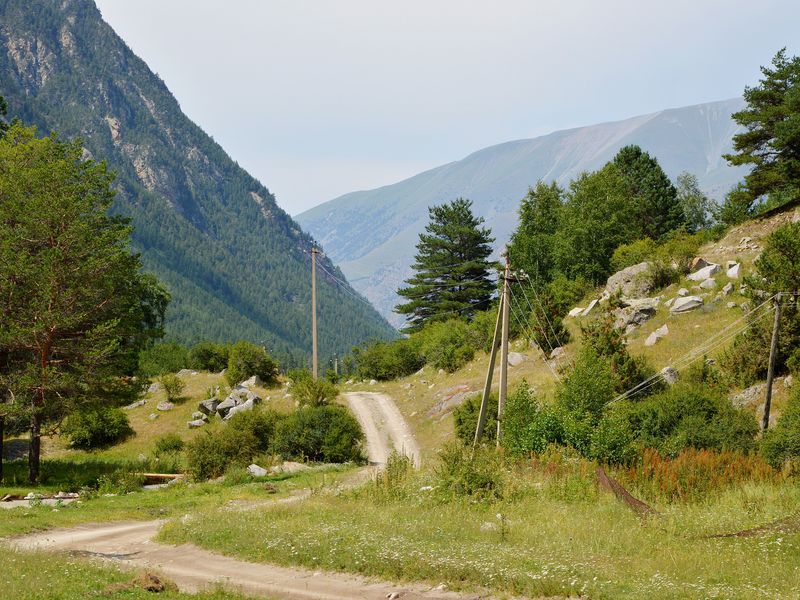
372,234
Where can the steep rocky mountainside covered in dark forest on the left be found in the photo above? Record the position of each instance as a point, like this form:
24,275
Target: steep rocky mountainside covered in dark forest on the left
236,264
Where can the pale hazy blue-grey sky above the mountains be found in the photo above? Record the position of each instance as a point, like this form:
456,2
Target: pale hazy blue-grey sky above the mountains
320,98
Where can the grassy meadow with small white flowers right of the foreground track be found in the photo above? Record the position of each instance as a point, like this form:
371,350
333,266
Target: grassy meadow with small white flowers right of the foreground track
554,537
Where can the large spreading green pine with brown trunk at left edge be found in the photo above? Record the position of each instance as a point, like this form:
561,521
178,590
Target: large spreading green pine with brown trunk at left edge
75,307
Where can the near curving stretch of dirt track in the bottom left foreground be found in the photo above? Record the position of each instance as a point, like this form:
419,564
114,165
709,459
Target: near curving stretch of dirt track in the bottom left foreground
130,546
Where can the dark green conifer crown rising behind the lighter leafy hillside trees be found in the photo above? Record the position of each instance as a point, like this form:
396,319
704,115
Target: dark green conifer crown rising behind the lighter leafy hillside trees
656,208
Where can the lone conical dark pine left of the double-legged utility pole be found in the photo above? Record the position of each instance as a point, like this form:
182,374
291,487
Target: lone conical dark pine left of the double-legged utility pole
452,267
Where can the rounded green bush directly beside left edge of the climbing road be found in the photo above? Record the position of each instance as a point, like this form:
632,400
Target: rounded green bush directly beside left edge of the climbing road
321,433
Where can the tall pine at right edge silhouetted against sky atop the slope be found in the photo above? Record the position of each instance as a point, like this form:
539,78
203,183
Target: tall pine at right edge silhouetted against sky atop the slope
771,140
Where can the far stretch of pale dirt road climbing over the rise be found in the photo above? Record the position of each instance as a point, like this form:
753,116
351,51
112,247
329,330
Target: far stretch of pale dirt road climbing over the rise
384,427
